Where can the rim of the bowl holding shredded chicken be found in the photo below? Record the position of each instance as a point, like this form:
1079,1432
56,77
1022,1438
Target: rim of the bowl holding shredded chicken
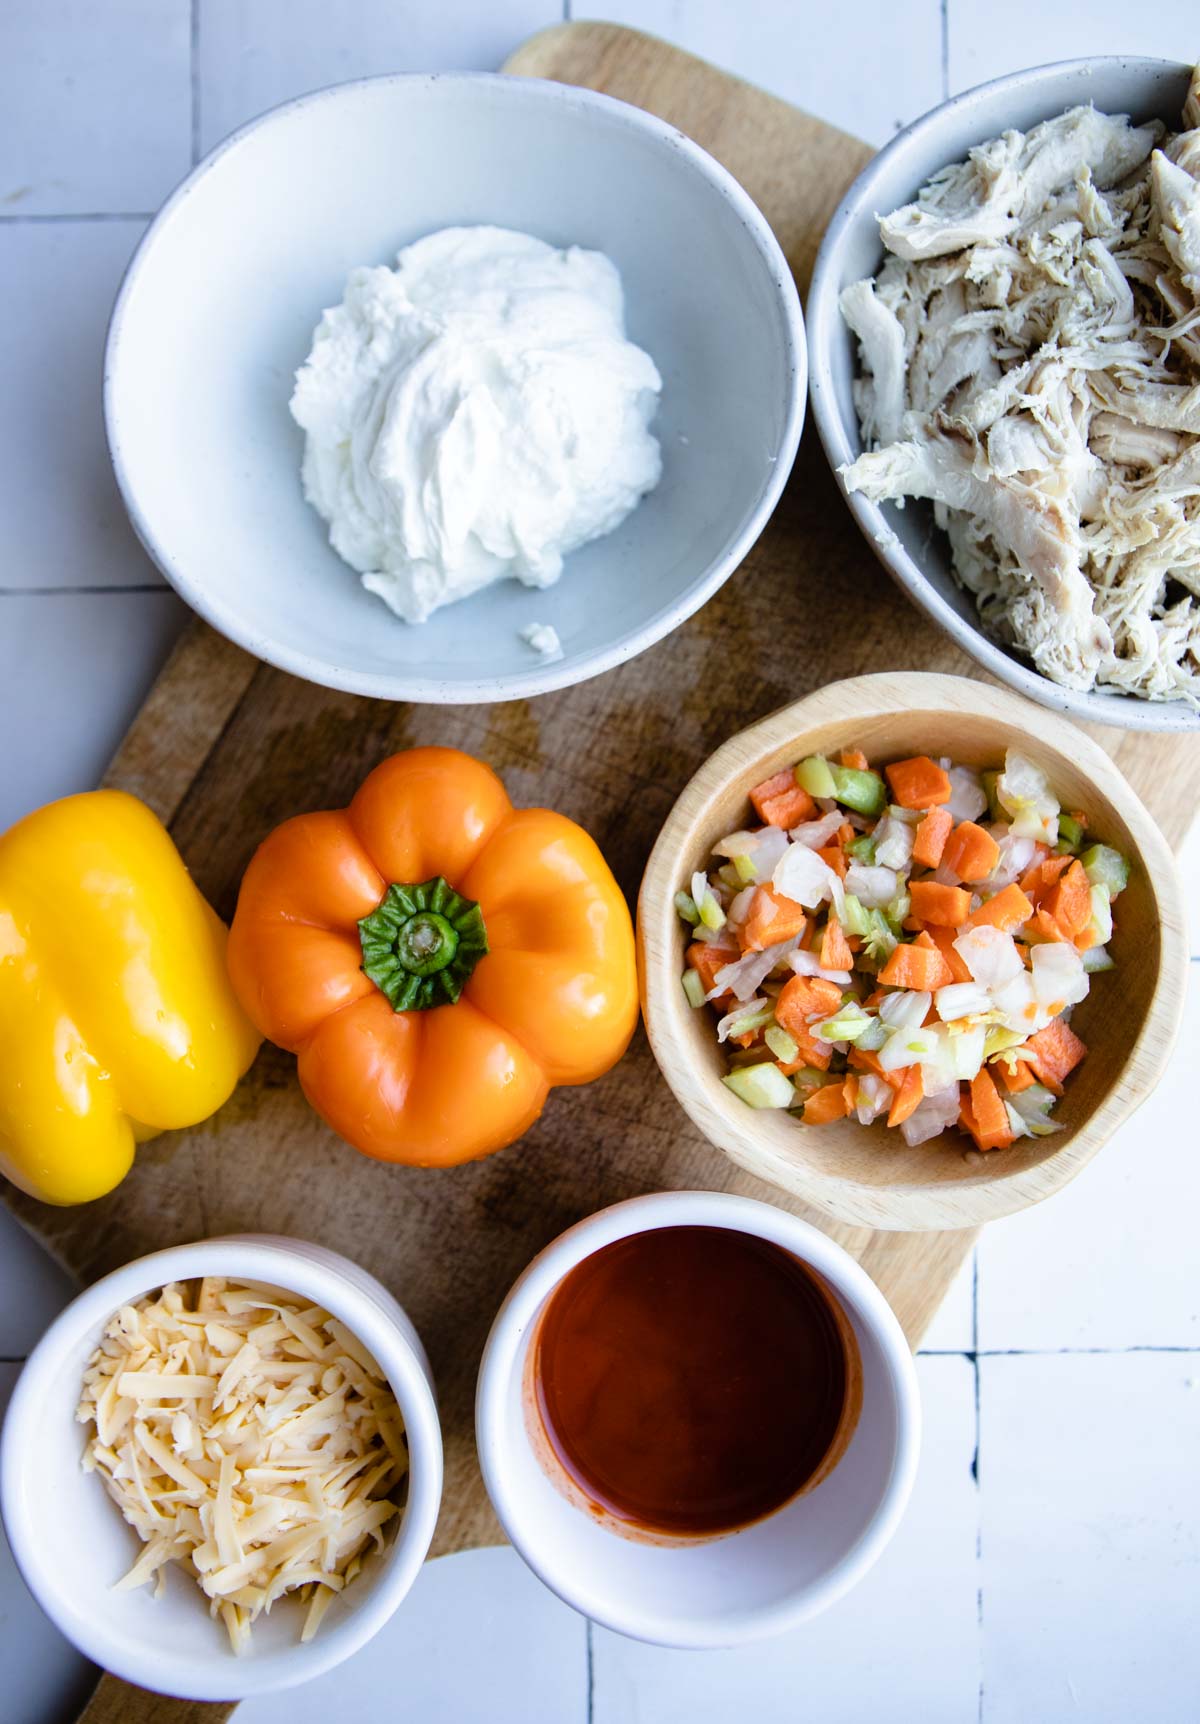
1120,711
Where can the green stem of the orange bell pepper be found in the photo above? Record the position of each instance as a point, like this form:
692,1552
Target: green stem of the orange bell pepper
422,944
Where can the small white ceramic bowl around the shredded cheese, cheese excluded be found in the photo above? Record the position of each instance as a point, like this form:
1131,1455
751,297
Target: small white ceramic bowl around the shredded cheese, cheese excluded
72,1544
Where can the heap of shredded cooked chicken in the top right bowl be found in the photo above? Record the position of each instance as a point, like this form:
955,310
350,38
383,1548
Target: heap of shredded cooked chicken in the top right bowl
1032,366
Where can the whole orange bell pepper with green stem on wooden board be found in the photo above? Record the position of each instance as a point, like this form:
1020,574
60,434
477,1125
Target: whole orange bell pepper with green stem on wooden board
437,959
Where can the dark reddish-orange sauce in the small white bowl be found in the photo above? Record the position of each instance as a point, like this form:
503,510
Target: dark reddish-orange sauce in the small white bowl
692,1380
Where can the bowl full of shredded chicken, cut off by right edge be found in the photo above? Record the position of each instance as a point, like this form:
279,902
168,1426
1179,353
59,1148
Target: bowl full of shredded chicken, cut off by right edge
1008,322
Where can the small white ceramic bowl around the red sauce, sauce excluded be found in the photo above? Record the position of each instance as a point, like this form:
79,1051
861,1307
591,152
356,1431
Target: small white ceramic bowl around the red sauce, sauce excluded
722,1590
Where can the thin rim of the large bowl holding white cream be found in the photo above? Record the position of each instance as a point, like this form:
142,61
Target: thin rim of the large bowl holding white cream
539,680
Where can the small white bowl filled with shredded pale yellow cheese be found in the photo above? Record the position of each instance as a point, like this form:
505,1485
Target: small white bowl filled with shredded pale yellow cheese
223,1468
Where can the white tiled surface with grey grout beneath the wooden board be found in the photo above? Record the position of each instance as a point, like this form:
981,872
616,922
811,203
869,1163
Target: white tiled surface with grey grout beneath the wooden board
1049,1566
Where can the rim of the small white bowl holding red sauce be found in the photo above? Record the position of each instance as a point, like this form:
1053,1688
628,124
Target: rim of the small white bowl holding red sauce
503,1358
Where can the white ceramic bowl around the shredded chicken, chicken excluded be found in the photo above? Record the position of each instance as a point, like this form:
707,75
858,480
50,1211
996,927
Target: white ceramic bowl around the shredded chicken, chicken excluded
904,540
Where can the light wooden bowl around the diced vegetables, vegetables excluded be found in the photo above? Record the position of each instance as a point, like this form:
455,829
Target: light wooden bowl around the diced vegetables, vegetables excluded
866,1175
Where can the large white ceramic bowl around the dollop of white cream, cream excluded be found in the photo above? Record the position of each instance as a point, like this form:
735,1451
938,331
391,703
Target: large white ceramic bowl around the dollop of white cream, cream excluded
218,311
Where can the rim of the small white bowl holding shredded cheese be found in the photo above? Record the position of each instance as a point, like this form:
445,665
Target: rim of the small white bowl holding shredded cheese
361,1302
